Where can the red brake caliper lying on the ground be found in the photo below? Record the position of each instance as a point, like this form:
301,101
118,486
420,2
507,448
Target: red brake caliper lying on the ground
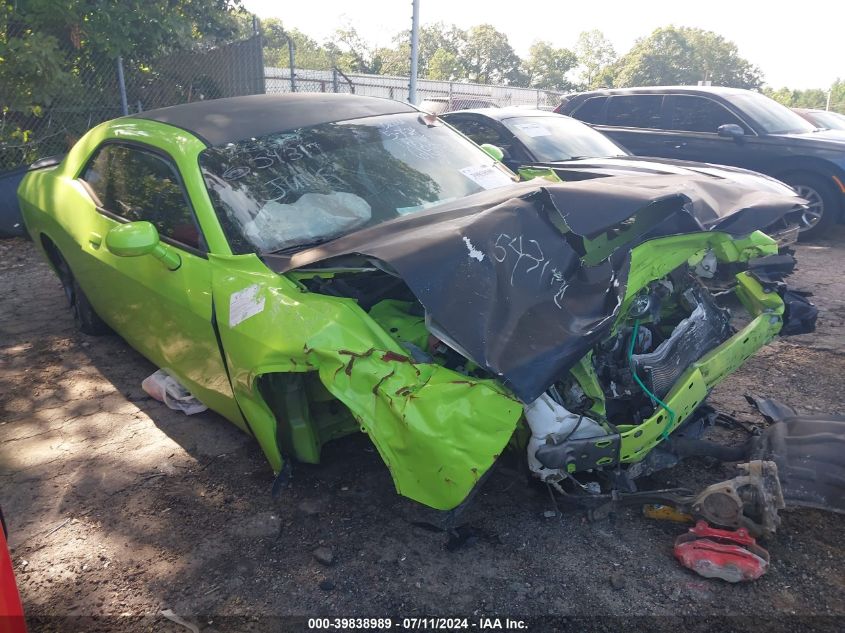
732,555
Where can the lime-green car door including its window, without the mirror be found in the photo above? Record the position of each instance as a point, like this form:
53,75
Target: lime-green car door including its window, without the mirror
164,314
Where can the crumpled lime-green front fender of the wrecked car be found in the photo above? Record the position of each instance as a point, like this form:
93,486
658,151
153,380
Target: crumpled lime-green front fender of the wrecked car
437,430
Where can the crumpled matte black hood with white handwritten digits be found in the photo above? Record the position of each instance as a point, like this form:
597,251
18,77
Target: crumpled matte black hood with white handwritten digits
502,284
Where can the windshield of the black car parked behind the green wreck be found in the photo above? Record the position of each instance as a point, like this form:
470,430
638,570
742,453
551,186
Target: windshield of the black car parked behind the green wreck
557,137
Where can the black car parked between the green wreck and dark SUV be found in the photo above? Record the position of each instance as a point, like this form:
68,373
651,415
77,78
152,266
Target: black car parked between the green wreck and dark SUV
578,152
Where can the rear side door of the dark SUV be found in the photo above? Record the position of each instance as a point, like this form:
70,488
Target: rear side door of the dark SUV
635,122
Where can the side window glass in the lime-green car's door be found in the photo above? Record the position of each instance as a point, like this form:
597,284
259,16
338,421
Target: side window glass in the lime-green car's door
140,185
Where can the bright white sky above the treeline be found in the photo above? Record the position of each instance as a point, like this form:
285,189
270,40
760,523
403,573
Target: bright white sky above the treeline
793,48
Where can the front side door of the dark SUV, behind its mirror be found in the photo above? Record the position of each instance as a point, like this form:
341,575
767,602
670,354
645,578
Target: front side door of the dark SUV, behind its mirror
692,132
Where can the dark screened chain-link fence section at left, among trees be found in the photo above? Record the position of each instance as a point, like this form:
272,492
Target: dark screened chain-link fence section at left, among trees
54,91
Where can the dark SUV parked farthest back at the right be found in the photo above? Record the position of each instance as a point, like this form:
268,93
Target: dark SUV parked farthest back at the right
727,126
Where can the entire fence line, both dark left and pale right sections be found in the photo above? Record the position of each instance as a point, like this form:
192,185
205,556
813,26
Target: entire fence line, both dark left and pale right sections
54,91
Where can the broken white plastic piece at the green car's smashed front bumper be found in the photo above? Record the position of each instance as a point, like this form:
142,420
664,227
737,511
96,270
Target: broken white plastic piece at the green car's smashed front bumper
546,417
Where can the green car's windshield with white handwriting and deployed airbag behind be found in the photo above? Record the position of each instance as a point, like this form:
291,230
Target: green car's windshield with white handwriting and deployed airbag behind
310,185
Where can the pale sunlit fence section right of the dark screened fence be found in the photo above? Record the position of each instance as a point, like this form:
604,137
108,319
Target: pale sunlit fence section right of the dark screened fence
440,95
